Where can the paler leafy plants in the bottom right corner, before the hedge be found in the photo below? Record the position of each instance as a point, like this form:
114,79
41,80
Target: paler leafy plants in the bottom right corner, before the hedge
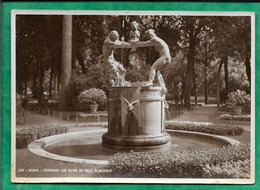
229,169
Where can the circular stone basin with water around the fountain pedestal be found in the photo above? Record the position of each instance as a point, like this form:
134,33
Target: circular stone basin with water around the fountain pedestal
86,146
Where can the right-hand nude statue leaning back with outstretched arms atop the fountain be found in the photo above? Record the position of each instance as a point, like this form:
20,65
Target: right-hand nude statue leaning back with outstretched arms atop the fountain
164,52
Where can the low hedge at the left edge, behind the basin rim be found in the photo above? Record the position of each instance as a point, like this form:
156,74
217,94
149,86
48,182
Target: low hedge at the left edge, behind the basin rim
27,135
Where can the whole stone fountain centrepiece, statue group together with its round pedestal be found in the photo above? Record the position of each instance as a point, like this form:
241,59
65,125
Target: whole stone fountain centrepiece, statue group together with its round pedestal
136,112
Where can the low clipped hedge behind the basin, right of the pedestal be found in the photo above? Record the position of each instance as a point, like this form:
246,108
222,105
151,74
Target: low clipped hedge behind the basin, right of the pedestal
217,129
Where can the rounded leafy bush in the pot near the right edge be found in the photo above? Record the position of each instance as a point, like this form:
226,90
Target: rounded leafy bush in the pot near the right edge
239,98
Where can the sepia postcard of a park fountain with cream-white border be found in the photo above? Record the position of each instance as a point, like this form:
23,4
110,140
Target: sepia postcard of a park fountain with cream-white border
133,97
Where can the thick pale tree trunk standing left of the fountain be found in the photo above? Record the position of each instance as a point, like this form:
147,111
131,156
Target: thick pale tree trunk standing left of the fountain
66,60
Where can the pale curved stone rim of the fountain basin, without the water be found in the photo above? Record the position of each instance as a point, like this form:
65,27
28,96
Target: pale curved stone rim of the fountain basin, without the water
36,146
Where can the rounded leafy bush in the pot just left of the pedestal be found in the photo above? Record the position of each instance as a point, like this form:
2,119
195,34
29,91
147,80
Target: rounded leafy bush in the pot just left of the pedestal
92,96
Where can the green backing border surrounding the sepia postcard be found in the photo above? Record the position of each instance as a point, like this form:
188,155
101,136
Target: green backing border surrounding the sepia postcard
6,8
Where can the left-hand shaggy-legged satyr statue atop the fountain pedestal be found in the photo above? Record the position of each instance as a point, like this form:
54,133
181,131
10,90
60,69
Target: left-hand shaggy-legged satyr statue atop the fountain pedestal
110,43
